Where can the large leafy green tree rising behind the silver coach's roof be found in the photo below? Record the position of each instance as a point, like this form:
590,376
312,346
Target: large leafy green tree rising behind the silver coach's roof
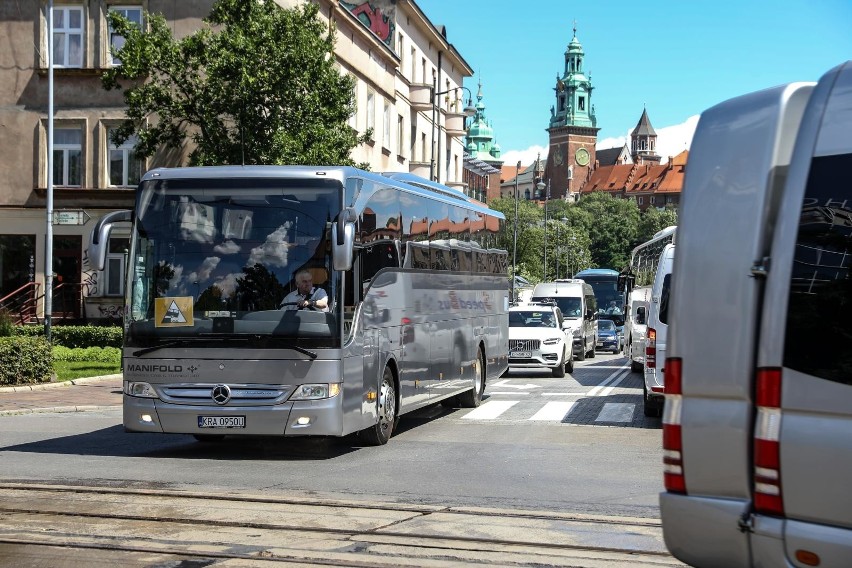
257,85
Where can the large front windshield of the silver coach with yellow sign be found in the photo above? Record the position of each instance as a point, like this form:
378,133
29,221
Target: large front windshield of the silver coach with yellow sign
213,260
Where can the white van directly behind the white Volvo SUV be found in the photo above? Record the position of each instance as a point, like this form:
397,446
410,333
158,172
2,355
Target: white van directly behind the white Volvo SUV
579,308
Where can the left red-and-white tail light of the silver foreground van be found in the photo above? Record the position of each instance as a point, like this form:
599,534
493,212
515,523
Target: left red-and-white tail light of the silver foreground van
675,481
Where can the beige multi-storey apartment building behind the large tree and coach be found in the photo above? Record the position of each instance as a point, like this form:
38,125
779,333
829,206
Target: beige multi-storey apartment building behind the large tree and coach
409,91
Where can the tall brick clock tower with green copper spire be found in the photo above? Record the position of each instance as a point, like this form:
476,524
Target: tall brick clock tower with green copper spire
573,127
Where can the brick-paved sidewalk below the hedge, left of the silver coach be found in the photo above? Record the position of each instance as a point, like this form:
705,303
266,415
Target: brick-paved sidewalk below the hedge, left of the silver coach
90,393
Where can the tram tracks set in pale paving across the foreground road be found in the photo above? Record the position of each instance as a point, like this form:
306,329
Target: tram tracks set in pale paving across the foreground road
229,528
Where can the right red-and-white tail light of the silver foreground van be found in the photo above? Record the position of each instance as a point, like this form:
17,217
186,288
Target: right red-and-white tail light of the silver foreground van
767,454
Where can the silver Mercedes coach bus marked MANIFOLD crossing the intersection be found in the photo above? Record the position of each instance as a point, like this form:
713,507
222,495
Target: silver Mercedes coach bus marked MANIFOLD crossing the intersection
417,301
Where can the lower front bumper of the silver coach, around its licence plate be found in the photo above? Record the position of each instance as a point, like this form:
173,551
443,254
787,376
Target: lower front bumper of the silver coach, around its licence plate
303,418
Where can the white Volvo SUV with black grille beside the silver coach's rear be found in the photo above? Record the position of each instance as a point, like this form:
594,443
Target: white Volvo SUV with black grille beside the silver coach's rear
537,340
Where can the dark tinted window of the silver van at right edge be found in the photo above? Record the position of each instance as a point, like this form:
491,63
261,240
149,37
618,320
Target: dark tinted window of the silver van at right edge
820,305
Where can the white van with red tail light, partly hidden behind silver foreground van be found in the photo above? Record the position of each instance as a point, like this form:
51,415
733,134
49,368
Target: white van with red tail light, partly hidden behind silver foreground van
655,335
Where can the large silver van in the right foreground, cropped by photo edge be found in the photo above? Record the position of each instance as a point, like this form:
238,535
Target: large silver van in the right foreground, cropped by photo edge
757,430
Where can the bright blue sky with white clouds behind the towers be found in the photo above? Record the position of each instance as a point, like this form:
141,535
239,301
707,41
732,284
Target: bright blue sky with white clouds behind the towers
675,58
